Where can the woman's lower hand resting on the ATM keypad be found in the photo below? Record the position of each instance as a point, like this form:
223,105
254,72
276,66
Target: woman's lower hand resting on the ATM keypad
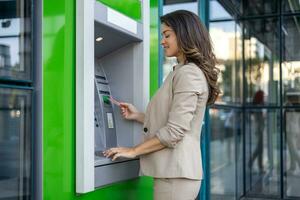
117,152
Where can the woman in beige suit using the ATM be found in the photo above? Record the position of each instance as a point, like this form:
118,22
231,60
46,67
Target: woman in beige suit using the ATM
172,122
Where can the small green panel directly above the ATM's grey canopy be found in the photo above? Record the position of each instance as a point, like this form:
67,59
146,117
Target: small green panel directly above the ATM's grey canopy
131,8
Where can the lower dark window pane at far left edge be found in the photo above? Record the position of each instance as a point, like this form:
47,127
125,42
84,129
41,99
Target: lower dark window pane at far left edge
15,144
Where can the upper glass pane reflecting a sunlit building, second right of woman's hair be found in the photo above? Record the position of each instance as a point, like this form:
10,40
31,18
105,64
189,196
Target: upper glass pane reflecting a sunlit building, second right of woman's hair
261,50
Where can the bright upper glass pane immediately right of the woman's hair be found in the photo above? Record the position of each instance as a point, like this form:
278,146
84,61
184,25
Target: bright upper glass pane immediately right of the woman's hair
226,37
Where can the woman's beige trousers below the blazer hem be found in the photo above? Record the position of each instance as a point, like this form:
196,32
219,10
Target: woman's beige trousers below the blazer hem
176,189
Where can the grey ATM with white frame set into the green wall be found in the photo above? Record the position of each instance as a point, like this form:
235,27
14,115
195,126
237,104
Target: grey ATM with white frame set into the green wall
112,59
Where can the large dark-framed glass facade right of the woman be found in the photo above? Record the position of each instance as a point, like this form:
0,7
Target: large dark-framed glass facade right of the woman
258,46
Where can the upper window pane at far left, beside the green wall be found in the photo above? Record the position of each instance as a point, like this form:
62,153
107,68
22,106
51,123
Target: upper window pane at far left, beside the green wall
15,40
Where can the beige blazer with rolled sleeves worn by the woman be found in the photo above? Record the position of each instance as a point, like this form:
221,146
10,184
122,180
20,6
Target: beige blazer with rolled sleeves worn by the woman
175,115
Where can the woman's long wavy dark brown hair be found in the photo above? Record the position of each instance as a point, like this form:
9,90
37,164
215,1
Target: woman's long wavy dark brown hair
194,42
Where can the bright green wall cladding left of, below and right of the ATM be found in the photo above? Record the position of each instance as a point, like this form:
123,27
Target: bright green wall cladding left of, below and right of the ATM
58,43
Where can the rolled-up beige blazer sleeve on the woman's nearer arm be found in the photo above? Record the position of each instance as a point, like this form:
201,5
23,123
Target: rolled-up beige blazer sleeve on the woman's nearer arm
188,85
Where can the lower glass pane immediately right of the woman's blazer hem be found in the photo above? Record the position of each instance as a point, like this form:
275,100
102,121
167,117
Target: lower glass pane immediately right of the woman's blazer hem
225,138
